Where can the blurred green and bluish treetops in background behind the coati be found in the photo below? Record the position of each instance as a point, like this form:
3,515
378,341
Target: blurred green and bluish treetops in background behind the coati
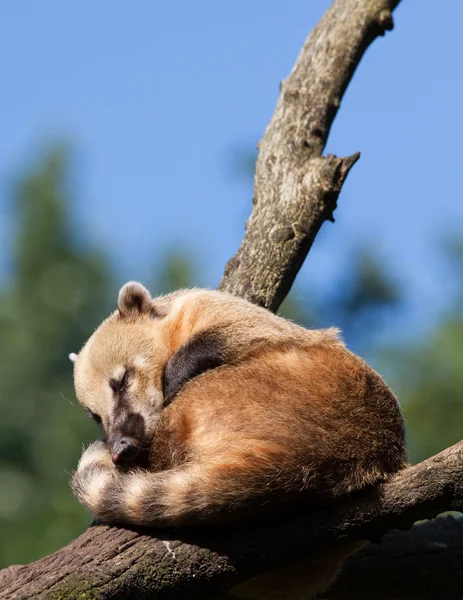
60,290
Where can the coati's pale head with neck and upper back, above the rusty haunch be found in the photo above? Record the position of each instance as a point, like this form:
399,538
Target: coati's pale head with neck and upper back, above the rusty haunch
142,356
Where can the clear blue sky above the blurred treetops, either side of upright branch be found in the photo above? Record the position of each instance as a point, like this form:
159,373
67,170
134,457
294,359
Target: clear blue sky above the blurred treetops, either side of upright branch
155,97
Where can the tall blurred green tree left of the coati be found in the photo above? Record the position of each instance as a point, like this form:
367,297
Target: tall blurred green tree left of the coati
58,293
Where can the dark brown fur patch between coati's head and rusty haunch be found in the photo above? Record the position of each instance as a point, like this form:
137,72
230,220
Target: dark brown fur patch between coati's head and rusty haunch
206,350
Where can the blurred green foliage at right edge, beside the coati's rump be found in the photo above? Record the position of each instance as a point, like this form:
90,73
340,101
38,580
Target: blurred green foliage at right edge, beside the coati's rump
428,372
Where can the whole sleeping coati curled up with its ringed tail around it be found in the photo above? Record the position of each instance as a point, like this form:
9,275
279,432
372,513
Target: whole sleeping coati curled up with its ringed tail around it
210,404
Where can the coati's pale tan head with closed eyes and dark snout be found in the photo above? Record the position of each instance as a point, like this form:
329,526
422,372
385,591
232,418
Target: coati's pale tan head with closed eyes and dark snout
118,373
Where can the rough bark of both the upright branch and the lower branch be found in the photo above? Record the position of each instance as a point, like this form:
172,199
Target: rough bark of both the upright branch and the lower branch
296,190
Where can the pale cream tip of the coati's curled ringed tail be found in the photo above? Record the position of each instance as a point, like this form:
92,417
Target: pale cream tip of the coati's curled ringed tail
95,472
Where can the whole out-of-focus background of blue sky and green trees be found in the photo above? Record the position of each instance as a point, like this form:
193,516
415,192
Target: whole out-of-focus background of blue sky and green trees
127,152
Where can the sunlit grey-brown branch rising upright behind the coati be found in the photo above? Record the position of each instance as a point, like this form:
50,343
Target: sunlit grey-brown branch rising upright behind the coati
295,187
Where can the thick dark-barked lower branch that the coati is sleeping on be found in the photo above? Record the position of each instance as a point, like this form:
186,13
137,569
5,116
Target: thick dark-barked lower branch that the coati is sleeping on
109,562
